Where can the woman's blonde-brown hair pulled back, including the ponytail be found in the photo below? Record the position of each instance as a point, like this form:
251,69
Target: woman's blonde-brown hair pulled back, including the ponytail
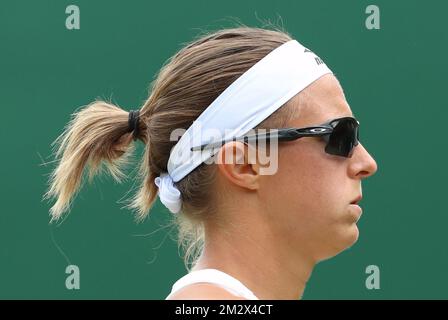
98,136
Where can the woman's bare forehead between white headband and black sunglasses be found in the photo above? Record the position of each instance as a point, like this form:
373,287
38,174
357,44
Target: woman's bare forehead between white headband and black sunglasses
321,101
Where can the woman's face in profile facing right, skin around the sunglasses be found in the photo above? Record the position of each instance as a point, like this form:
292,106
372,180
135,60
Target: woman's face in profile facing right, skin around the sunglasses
310,195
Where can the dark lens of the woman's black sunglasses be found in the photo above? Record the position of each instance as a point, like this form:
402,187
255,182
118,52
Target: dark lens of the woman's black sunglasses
343,138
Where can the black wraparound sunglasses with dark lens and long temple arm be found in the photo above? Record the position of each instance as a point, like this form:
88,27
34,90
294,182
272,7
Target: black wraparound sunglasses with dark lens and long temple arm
341,136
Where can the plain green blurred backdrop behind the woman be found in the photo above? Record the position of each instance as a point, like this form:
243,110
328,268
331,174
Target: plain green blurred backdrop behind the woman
394,79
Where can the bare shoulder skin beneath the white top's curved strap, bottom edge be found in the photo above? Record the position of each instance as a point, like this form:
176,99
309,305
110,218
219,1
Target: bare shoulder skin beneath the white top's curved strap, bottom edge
203,291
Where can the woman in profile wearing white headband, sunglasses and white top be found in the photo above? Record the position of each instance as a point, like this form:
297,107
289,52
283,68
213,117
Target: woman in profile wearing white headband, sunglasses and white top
251,233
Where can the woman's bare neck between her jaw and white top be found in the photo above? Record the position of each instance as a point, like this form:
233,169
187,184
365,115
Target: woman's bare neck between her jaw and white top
269,267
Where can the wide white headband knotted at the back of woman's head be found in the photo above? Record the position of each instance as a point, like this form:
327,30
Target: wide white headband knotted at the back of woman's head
249,100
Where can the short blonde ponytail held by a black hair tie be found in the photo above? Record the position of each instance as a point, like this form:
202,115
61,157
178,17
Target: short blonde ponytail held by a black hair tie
99,133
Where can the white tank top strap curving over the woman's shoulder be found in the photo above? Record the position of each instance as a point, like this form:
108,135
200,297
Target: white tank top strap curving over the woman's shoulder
216,277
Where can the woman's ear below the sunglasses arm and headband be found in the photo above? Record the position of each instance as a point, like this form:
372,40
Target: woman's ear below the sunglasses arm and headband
237,162
